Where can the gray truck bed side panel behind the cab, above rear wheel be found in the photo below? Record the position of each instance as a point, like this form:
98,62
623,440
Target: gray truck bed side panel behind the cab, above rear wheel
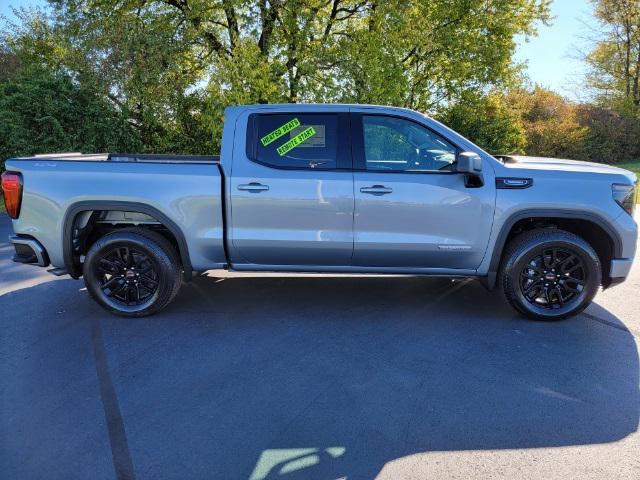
182,192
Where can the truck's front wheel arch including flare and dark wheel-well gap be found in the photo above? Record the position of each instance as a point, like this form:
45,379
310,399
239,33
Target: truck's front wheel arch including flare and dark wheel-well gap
603,235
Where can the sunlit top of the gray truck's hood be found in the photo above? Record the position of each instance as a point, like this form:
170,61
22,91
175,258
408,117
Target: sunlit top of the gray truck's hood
560,164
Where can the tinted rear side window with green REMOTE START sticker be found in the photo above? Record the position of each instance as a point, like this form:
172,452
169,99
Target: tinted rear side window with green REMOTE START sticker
294,140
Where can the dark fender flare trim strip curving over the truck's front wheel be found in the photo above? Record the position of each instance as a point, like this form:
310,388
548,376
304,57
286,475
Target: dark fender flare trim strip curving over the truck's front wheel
508,224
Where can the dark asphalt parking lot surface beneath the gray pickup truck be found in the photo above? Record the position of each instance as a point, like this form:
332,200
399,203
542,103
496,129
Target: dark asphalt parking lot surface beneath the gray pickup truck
313,377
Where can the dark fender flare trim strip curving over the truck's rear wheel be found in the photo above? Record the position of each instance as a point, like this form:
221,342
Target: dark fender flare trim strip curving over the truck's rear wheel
83,206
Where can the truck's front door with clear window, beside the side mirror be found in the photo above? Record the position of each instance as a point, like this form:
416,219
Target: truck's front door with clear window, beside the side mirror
412,210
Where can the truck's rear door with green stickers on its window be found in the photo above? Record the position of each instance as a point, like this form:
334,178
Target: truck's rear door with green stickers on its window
292,191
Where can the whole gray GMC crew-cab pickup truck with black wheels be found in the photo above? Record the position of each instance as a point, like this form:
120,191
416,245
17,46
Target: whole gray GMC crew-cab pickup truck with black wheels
326,188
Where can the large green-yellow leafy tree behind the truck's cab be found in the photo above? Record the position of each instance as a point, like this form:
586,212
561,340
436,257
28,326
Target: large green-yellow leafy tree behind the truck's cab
175,64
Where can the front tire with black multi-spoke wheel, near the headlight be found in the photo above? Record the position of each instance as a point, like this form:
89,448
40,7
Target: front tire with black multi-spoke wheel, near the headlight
550,274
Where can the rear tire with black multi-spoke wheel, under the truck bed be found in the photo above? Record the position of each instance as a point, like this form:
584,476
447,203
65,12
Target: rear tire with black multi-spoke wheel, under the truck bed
111,278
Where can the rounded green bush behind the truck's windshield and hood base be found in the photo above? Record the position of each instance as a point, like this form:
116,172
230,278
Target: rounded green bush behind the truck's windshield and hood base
489,121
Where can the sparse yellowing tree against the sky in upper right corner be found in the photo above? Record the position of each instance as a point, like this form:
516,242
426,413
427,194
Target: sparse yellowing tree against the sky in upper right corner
615,61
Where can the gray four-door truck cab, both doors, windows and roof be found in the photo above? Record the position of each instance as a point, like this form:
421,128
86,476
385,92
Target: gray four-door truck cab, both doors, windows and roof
348,198
